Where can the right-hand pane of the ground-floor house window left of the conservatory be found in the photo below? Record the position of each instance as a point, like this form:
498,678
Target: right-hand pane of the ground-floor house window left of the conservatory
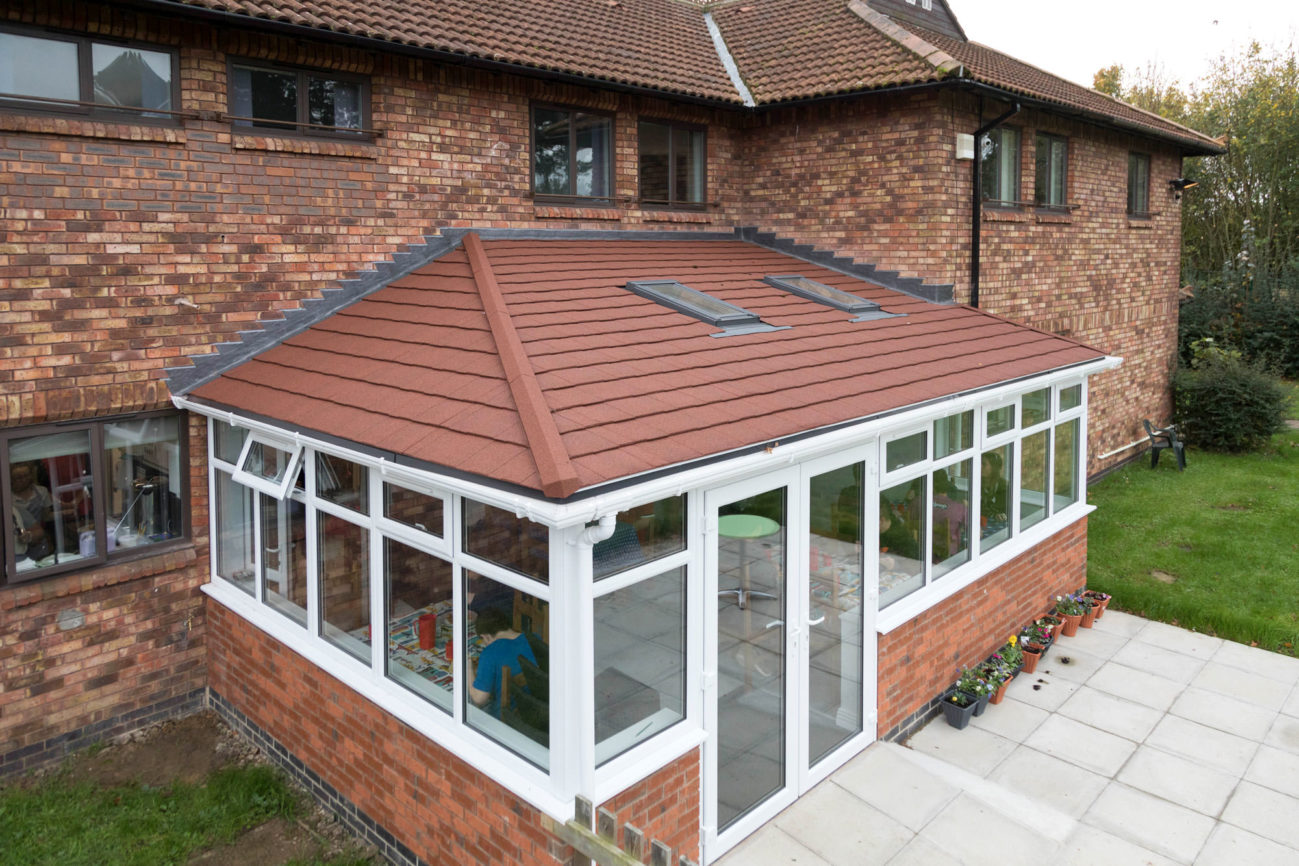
144,472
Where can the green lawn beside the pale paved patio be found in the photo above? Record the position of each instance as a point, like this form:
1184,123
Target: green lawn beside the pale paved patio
1213,549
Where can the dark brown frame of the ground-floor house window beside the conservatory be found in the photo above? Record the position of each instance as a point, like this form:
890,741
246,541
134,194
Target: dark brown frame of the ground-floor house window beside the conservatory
10,576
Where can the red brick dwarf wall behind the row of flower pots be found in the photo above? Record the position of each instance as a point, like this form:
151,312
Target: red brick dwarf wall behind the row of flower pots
922,659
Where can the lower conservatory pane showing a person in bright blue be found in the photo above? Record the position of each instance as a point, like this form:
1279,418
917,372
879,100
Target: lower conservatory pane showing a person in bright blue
507,652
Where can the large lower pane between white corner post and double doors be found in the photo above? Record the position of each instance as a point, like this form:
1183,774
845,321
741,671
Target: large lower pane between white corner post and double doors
640,663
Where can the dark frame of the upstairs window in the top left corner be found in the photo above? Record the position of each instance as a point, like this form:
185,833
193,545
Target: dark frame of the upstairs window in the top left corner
85,107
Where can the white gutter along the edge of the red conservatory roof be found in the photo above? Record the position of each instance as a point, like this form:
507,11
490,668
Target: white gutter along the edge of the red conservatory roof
692,477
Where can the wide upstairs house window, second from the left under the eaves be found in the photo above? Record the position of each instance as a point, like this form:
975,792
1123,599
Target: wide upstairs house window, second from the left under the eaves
302,101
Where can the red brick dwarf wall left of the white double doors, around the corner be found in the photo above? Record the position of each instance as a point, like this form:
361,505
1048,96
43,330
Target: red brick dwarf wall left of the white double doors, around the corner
433,804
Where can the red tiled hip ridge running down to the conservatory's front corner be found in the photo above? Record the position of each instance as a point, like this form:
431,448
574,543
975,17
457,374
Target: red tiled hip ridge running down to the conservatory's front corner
559,477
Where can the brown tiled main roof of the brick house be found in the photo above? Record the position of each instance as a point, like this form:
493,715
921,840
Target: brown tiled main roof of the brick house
784,50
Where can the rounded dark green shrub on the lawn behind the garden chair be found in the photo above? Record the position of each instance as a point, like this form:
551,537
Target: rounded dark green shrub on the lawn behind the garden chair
1227,404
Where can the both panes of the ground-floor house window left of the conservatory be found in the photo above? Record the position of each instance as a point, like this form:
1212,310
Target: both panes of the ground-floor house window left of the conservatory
84,494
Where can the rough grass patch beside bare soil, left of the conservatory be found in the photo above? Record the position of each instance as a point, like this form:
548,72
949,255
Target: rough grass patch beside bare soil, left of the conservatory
68,823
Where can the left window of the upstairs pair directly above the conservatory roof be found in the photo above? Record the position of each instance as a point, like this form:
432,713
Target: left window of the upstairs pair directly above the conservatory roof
572,154
